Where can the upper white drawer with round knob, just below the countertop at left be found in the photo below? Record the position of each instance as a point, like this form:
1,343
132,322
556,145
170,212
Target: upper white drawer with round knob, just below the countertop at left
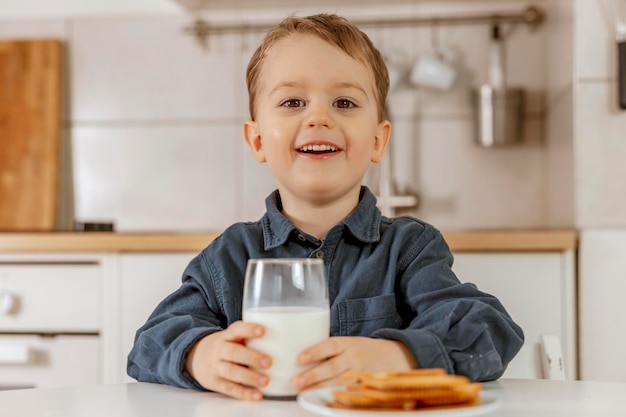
49,298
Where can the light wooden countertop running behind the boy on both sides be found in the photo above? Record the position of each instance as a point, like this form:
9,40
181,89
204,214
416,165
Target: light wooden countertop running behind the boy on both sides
459,241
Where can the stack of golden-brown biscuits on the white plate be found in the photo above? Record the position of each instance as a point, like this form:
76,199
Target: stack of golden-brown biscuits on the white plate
409,390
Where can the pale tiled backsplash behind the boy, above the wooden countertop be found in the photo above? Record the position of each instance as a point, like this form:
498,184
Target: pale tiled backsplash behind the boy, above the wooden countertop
154,124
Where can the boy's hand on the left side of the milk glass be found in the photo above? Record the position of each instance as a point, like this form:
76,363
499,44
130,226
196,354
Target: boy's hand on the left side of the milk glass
221,362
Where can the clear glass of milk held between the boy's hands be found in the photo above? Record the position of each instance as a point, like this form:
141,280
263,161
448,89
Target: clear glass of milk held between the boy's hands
289,297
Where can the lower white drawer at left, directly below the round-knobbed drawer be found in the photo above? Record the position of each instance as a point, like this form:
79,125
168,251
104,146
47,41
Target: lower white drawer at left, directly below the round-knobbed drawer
32,361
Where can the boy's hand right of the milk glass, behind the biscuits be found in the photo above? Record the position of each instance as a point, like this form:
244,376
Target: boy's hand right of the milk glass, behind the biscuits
340,354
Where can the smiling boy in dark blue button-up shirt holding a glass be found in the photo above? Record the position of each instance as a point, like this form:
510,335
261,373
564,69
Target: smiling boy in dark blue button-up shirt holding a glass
317,90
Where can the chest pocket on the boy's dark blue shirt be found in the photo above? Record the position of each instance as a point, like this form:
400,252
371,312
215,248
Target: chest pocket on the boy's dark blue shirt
363,316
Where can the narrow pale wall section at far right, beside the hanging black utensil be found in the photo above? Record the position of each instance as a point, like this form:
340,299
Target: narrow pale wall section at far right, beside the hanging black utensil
600,126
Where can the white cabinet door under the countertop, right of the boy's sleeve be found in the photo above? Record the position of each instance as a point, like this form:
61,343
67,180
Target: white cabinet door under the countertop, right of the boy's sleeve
537,289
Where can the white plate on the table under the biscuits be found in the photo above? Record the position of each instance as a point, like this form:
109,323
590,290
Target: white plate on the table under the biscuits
316,400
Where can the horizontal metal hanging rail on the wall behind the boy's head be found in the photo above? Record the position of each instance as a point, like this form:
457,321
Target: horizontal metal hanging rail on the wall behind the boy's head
532,16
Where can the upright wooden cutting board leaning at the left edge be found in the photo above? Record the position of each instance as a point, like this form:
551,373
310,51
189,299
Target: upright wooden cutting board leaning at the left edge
30,133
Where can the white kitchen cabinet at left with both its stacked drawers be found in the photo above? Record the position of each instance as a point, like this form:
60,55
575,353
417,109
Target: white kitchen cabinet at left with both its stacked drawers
50,320
